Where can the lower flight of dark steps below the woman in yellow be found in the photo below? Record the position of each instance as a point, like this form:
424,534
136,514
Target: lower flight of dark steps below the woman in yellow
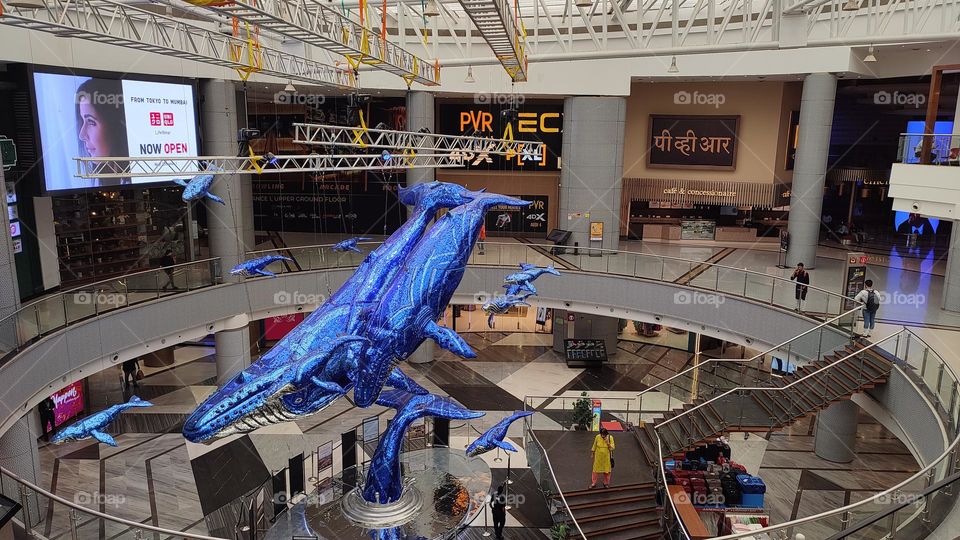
620,512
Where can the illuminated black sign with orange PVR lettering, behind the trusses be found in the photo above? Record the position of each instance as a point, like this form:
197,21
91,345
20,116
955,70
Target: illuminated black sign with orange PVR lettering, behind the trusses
540,123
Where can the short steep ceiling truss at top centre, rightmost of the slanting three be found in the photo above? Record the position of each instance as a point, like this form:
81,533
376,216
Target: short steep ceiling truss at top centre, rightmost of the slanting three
503,32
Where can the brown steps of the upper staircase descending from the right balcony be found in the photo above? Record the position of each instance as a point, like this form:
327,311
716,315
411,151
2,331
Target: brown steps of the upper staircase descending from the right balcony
767,410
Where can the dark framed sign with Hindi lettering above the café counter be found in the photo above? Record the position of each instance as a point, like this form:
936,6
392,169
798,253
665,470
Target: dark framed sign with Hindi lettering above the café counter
693,142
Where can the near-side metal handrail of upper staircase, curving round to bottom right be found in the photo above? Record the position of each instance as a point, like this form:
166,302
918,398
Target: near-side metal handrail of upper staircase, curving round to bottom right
849,507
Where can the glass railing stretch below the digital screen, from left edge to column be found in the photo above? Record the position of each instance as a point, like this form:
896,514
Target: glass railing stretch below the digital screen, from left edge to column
56,311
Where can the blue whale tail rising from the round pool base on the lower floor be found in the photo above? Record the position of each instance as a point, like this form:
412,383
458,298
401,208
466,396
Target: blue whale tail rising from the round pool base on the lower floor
384,478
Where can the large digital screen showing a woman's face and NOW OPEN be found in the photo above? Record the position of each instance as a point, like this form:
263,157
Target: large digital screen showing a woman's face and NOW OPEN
82,116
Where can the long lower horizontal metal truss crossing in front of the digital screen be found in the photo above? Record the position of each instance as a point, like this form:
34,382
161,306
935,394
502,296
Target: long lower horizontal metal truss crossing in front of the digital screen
185,167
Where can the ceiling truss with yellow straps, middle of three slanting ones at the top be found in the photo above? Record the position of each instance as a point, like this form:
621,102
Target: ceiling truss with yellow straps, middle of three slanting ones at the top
317,24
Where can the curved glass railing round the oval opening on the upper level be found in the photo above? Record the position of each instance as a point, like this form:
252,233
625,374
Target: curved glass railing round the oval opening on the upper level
57,311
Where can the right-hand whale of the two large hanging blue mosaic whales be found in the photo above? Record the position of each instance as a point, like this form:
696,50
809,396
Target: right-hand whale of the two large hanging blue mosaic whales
407,313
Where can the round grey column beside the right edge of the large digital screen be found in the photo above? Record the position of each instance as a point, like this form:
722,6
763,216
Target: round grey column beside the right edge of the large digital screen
230,226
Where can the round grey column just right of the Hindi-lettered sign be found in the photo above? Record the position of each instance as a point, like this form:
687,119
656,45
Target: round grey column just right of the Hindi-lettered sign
813,146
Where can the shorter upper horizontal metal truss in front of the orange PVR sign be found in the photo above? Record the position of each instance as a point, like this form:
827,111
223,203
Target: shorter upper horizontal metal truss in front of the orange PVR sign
406,141
